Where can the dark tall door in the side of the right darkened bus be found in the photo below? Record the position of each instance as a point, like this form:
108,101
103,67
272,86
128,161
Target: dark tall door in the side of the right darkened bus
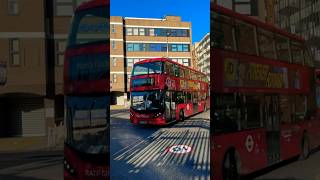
272,123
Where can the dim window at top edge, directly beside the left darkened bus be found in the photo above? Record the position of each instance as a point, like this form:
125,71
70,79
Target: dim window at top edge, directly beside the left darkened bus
64,7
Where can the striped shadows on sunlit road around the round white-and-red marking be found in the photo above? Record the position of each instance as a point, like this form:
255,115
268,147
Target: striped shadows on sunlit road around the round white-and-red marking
152,151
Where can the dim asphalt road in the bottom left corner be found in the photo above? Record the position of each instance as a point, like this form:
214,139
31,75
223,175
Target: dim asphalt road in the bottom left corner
37,165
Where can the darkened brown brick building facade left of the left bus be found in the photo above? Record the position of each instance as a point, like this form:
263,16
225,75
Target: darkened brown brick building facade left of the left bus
23,51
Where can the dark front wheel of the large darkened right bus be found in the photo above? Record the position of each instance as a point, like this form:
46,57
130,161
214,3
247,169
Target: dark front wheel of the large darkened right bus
230,167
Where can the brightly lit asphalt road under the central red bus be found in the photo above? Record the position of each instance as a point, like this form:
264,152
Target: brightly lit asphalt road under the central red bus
142,152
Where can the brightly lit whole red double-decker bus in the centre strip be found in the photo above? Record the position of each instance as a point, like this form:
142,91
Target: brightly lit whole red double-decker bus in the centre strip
163,91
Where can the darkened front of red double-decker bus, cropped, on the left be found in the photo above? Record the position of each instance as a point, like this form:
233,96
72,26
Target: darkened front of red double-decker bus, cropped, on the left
86,88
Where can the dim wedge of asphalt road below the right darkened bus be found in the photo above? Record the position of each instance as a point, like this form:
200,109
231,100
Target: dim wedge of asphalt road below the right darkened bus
308,169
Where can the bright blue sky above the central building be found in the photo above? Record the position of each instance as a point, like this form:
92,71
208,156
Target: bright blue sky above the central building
195,11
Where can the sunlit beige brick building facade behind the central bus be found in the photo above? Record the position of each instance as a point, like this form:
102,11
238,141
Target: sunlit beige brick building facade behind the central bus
122,59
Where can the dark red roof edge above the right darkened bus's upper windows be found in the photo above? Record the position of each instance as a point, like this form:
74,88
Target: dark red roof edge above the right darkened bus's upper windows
253,21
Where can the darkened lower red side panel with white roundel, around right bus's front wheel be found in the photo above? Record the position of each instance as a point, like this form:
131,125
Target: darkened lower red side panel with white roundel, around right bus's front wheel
248,144
